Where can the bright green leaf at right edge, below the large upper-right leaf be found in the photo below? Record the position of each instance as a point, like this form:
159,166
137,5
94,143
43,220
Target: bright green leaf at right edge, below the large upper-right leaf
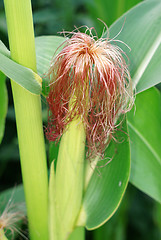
145,138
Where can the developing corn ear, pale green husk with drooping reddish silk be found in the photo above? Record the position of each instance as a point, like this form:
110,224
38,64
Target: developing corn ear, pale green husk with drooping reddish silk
90,86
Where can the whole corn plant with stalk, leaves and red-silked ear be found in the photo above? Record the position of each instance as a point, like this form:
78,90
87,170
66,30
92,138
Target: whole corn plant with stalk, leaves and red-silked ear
97,145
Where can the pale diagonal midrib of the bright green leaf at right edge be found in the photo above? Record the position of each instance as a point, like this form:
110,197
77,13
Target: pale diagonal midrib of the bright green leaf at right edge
145,142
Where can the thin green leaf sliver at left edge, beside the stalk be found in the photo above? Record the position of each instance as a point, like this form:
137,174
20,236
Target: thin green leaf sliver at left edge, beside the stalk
3,104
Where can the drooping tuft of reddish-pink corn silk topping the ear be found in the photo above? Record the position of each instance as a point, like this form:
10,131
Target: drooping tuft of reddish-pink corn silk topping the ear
93,73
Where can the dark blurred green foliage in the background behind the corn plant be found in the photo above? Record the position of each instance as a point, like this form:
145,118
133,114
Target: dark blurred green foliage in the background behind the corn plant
138,216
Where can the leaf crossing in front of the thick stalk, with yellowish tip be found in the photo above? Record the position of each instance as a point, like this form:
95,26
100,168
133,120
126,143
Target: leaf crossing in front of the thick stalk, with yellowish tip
25,77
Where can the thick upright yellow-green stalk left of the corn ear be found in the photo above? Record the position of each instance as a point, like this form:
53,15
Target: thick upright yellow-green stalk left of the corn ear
29,119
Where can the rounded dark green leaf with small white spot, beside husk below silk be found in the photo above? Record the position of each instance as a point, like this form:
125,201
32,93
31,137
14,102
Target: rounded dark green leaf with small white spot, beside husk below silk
108,183
